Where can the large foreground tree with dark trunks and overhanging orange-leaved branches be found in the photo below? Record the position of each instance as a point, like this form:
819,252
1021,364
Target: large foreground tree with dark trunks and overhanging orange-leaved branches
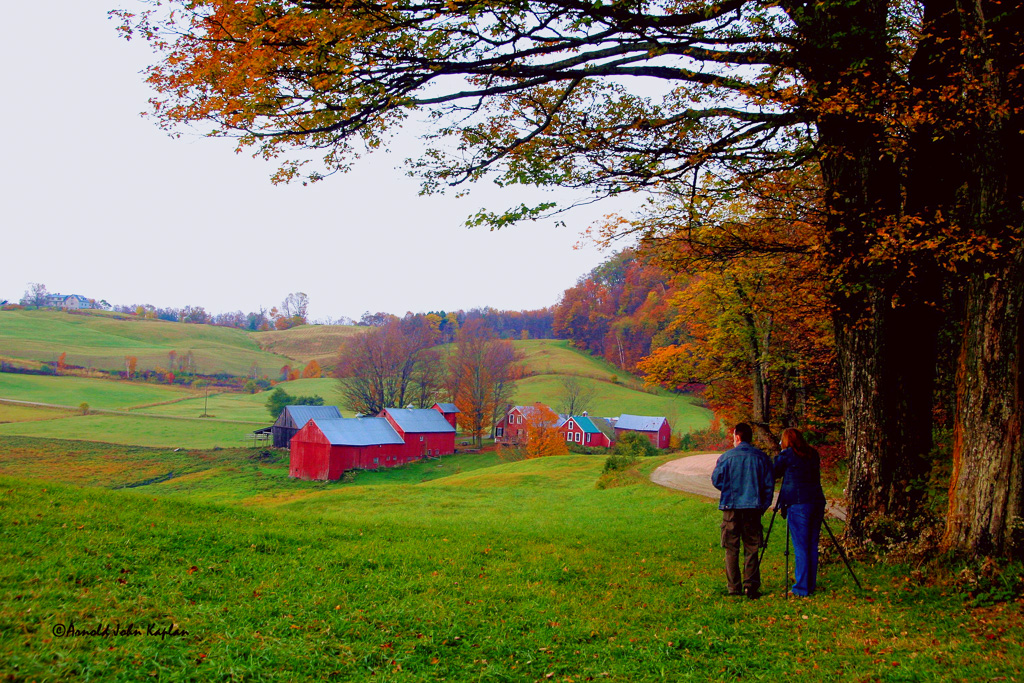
905,116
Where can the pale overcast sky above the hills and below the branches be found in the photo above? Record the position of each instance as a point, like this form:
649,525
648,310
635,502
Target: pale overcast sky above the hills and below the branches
98,201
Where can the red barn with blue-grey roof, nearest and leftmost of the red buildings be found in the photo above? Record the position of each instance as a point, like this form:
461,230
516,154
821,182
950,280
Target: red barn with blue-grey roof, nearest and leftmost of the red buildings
324,449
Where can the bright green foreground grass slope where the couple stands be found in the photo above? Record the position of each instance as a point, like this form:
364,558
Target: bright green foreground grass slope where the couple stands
518,572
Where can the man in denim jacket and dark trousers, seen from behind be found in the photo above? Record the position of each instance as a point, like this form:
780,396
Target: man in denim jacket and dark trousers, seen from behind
744,475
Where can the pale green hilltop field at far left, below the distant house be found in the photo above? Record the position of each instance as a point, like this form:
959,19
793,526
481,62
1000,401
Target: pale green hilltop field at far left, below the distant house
103,343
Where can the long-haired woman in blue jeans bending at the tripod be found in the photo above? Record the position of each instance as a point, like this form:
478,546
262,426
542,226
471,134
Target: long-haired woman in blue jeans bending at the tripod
803,505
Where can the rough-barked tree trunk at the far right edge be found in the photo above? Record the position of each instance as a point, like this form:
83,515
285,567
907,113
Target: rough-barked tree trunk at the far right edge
987,492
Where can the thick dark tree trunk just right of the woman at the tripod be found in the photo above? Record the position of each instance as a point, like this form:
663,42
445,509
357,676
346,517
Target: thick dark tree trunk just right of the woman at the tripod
884,328
